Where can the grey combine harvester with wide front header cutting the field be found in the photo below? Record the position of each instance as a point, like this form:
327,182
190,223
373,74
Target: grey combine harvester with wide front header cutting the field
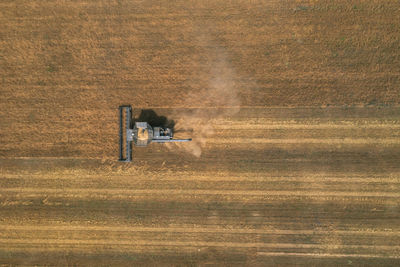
141,134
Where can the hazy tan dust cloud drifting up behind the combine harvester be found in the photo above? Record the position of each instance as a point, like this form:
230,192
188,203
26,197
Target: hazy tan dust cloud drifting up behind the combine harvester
213,96
